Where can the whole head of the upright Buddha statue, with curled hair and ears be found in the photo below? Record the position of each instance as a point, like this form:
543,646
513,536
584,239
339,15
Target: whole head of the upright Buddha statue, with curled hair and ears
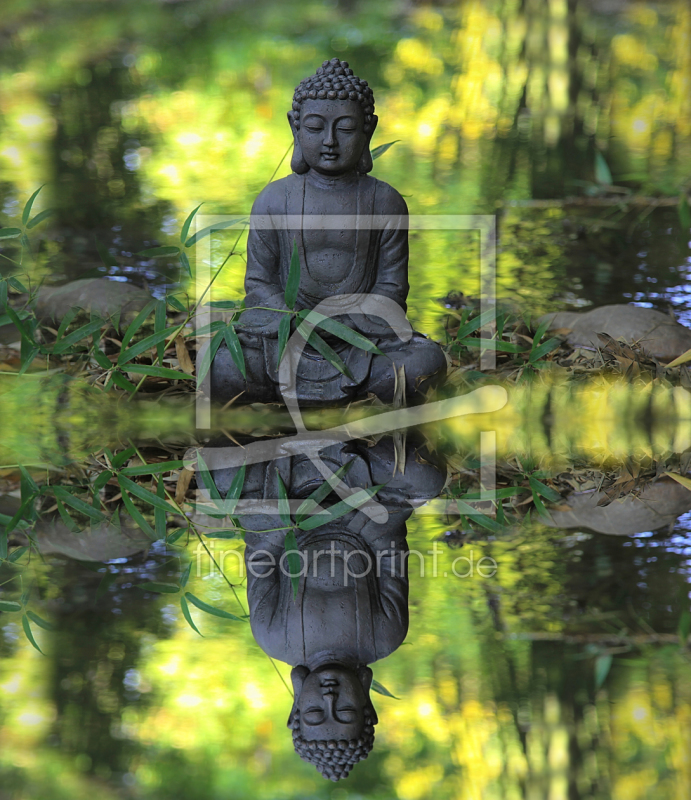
332,120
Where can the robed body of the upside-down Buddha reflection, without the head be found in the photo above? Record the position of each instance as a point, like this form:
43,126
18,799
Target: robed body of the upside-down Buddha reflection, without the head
352,599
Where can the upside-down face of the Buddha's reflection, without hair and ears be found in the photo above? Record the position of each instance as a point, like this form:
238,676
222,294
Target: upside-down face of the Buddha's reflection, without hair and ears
332,705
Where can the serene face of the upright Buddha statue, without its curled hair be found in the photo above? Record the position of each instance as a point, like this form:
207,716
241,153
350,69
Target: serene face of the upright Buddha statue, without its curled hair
332,135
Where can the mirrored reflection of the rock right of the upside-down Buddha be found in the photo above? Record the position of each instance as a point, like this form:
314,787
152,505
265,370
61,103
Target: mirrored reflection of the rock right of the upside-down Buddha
657,506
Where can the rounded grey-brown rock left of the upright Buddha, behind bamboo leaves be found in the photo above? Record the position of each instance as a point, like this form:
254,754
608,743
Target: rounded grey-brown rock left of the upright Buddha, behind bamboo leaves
95,295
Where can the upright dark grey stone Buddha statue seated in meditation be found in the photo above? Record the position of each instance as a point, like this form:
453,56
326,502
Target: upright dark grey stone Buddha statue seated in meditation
351,234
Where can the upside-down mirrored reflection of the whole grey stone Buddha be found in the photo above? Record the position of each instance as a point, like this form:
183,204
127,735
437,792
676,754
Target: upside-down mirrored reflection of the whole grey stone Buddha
351,605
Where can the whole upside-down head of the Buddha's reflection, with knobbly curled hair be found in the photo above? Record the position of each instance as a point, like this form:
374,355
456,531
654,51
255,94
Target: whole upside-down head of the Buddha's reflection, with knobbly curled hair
333,717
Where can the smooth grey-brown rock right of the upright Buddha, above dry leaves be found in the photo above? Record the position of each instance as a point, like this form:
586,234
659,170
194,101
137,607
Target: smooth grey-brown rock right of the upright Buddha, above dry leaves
658,334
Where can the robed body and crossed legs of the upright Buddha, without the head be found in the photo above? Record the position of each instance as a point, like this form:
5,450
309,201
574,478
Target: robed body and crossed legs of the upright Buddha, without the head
349,260
